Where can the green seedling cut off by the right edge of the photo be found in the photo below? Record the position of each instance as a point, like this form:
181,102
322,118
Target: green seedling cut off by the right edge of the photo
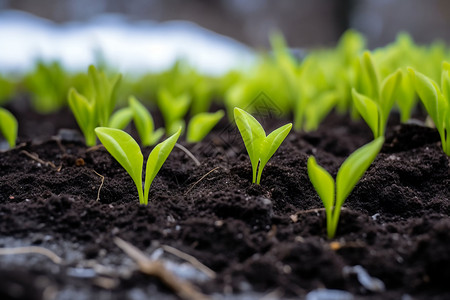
436,101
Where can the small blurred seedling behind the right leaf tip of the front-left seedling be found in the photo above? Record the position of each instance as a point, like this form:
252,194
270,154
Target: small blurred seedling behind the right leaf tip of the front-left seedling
173,109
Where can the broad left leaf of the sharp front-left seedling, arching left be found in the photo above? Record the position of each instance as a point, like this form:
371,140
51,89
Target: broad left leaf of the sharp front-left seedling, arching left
126,151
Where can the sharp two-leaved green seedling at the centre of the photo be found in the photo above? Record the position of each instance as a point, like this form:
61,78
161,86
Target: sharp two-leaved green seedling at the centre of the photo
260,147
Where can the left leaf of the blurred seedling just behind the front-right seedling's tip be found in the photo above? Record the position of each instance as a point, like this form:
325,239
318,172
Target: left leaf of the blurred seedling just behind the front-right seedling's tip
369,110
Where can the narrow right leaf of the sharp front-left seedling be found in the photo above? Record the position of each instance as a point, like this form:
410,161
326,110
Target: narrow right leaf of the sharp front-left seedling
156,159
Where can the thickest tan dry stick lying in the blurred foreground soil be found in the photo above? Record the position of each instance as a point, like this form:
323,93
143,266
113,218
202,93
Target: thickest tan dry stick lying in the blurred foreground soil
155,268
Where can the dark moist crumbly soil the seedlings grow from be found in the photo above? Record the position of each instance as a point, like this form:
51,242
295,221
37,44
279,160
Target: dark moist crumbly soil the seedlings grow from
265,240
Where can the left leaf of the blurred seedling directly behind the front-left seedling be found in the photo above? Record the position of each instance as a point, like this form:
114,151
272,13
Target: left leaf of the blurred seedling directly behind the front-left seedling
85,115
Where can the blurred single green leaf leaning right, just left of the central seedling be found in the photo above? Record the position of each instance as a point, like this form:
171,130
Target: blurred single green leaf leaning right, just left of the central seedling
201,124
